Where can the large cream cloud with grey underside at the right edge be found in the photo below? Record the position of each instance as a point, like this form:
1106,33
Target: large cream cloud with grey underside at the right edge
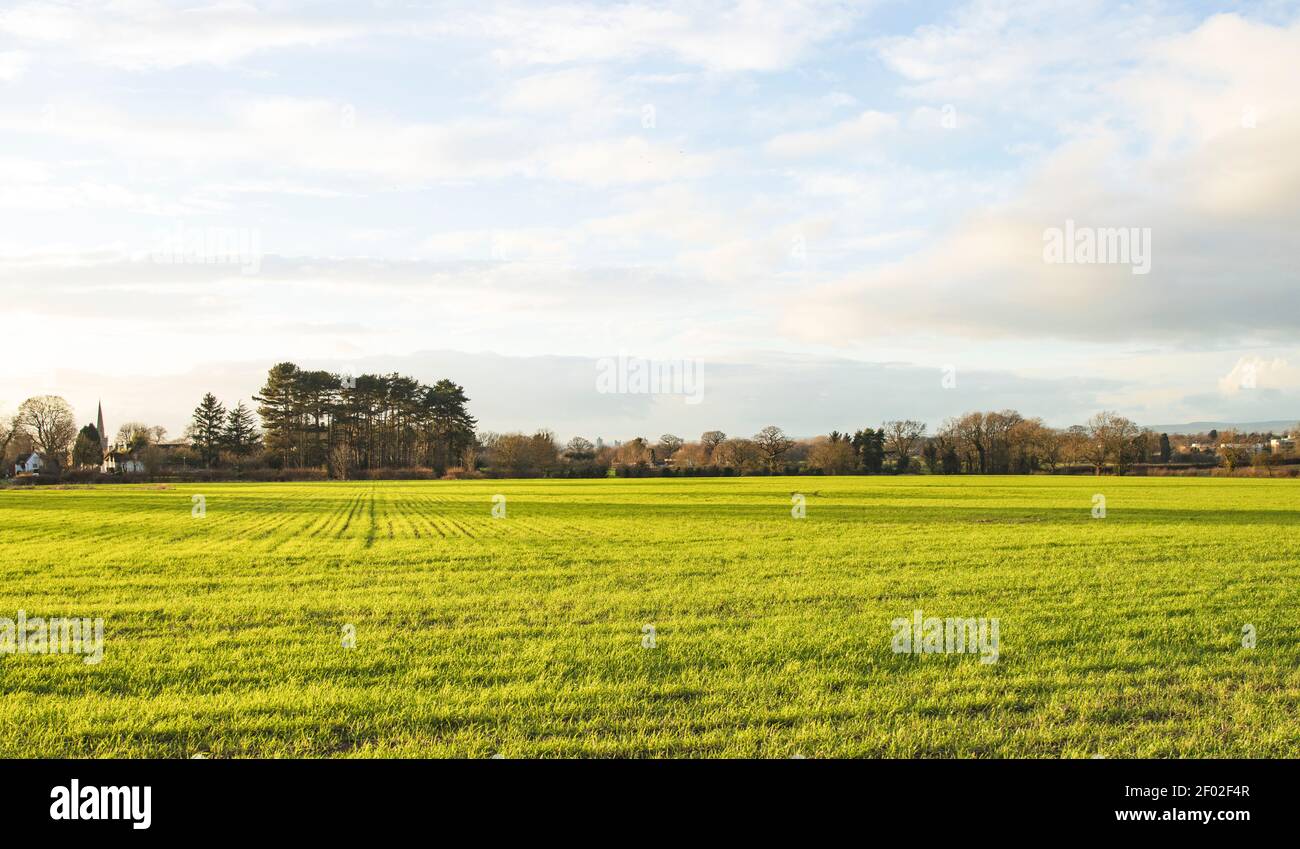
1223,207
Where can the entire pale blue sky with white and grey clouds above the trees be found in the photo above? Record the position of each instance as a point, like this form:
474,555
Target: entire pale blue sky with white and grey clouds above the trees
838,210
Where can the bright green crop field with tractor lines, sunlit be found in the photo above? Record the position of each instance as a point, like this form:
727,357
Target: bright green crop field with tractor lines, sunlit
523,636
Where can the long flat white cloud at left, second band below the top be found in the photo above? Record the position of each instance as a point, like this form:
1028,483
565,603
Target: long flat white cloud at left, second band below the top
333,137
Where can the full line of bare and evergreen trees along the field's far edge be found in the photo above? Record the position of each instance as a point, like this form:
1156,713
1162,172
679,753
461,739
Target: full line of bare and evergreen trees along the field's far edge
340,426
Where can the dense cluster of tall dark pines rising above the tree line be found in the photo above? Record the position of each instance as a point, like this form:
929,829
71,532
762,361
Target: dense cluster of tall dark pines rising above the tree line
369,422
